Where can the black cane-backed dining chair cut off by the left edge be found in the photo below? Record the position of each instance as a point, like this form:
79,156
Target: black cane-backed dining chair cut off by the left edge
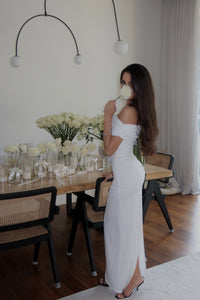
25,219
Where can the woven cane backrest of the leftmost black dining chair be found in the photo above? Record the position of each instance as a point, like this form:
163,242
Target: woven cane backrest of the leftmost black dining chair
22,209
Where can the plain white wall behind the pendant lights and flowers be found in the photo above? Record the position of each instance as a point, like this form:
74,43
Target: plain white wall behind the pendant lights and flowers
49,81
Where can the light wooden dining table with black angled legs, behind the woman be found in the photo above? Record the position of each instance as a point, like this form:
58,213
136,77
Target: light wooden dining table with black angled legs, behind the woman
81,181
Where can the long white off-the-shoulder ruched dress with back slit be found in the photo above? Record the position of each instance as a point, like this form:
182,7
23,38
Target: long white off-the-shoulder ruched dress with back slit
123,222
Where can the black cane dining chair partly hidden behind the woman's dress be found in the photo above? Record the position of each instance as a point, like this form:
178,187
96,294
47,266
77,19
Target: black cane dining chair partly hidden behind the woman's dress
90,211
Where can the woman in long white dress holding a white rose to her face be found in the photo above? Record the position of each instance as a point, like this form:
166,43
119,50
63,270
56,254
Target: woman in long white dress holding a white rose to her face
123,226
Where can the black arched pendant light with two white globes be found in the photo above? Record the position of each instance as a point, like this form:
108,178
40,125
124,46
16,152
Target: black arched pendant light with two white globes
16,61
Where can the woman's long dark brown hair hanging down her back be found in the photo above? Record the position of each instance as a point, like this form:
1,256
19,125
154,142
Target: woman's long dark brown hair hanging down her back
144,102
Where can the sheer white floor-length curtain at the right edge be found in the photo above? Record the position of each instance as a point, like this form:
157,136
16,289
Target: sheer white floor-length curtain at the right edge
178,115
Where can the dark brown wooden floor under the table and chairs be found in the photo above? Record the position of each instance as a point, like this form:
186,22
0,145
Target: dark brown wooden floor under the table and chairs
19,279
